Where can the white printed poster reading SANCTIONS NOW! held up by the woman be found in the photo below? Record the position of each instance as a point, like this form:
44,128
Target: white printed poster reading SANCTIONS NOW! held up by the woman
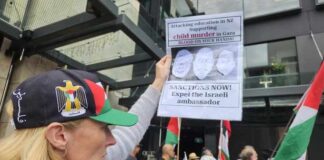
206,78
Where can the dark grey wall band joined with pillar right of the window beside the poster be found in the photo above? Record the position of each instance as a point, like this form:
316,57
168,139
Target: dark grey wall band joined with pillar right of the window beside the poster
296,25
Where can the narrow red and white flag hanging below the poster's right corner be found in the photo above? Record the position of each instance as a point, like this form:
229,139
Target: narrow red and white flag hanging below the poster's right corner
223,140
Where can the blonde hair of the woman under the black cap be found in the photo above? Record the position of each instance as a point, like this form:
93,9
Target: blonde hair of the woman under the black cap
27,144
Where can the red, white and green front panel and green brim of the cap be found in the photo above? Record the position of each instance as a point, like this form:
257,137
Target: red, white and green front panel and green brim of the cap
104,112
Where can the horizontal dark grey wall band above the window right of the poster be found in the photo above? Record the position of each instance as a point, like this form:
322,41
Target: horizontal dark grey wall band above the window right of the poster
286,26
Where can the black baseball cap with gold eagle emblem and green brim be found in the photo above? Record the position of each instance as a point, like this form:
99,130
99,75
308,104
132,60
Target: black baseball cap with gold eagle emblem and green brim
61,96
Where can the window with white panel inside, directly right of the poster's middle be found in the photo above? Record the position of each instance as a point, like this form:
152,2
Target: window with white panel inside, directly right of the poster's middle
271,64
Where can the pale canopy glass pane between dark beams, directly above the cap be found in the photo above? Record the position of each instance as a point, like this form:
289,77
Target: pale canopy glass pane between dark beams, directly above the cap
102,48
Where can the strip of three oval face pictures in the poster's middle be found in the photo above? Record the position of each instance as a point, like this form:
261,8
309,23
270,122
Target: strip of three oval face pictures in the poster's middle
204,63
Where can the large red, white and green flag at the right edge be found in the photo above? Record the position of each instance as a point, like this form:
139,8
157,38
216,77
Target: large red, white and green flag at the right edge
295,143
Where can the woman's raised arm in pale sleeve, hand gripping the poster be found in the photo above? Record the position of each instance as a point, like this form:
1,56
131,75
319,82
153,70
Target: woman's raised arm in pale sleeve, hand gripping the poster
128,137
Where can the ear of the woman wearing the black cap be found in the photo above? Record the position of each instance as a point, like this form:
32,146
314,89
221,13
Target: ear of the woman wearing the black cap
56,135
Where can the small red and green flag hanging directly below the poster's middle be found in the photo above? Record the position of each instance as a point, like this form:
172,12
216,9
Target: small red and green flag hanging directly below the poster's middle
172,132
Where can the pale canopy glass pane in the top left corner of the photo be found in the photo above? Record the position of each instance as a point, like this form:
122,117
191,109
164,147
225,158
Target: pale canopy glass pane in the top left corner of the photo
29,15
